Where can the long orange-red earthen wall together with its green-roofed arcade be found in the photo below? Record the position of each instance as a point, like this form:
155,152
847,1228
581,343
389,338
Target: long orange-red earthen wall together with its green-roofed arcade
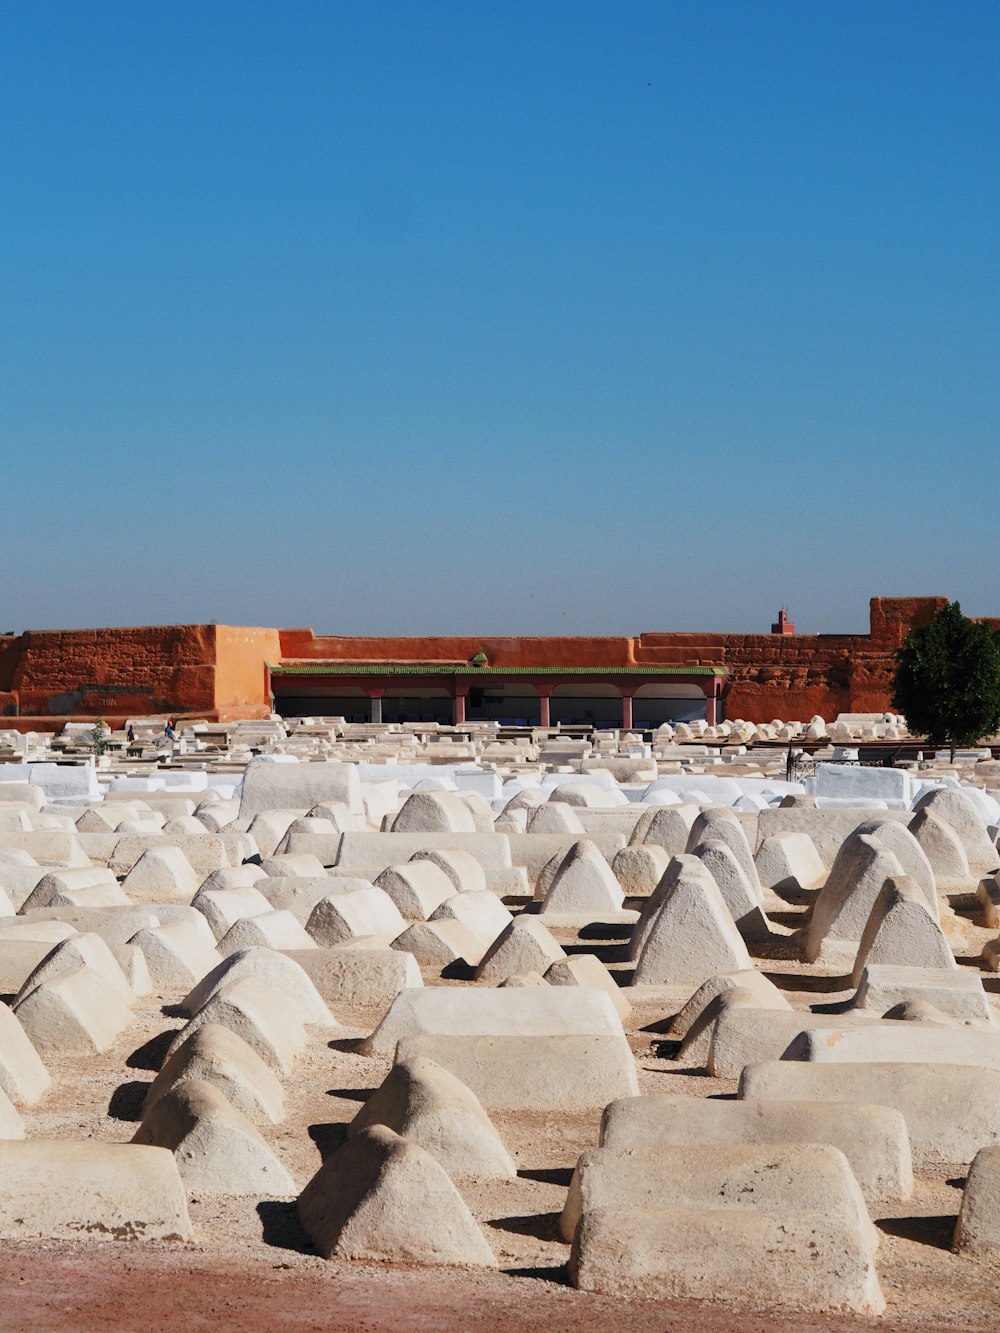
226,672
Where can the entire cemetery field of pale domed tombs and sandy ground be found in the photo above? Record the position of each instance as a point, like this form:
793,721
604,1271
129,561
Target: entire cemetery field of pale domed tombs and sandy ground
679,915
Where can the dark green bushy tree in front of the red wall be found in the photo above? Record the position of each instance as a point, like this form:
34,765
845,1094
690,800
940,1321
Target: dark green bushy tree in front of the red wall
947,680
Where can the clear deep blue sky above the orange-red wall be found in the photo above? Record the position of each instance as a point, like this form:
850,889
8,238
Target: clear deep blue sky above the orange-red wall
513,317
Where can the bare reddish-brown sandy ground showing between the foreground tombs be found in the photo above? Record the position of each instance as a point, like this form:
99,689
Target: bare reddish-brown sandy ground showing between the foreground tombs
250,1267
